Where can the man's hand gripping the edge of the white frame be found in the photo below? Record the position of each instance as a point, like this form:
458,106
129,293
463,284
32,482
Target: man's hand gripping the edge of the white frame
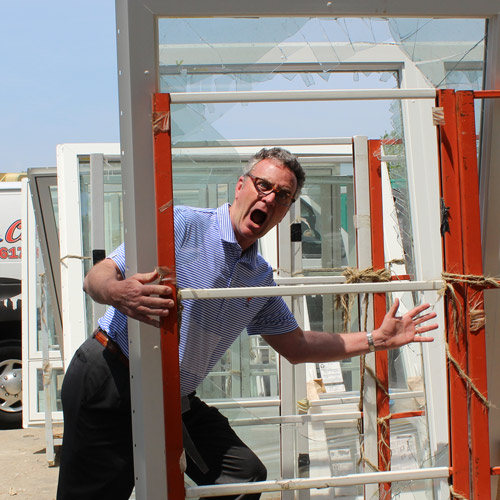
139,299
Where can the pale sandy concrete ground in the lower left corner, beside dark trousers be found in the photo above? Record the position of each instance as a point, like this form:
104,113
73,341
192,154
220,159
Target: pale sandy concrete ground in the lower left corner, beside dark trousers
24,470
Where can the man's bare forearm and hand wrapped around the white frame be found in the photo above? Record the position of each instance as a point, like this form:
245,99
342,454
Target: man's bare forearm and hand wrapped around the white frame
138,296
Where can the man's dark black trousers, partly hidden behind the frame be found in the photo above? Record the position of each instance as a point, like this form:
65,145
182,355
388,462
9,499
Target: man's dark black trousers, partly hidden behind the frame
97,451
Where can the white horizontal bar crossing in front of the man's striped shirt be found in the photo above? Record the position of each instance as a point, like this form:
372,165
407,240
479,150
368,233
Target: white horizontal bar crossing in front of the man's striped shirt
297,290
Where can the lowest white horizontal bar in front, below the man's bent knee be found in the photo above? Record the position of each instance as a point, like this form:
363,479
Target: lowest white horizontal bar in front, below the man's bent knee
327,482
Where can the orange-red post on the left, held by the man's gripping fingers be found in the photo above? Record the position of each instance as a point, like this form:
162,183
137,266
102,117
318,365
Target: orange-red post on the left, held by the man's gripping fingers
166,264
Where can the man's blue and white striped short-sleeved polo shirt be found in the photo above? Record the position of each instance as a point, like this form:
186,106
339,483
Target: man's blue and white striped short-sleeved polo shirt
208,256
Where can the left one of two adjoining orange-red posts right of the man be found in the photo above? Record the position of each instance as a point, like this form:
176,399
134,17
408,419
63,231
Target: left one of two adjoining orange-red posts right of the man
453,263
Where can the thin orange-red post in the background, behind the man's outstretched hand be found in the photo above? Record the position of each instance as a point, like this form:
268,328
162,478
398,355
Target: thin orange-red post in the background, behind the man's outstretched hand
379,310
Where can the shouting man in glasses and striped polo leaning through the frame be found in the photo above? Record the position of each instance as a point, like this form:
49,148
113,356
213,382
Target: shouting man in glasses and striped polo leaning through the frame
215,248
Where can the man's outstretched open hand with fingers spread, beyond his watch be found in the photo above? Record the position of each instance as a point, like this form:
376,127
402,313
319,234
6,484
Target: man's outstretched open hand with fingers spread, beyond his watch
396,331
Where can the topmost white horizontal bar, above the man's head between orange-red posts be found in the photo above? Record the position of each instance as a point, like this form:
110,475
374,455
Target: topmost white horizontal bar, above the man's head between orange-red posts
300,95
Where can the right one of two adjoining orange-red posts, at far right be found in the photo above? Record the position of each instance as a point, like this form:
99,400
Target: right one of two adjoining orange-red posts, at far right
472,254
